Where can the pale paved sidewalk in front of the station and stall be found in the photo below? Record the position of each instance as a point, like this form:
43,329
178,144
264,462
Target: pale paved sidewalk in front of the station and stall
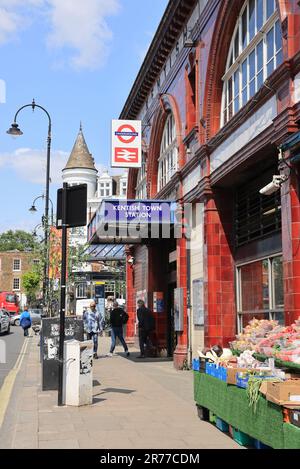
138,404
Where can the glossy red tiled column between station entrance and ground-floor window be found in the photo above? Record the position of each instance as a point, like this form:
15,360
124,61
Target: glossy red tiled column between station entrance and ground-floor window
219,295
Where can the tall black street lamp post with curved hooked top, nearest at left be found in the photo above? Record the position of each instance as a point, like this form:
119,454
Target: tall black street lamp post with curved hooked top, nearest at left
16,132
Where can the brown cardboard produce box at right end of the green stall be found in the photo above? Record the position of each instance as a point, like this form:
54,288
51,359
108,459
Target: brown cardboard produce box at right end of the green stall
286,393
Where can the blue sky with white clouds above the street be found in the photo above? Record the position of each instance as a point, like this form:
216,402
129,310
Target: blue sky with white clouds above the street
78,59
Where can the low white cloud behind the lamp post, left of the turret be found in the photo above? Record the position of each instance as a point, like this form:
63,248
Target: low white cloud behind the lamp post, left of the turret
30,165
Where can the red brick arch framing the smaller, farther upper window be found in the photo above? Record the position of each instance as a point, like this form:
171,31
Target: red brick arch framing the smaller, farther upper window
167,104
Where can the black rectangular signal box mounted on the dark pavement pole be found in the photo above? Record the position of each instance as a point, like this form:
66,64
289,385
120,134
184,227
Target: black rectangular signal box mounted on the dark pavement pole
76,206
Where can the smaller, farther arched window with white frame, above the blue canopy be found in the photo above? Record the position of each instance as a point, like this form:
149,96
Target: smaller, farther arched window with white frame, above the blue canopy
168,159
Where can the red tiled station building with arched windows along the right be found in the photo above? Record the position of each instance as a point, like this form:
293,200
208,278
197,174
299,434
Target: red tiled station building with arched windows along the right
218,95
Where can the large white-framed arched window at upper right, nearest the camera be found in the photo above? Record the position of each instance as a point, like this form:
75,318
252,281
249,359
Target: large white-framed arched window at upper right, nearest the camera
255,52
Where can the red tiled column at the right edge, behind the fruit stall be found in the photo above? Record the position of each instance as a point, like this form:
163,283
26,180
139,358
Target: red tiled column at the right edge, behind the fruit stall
291,248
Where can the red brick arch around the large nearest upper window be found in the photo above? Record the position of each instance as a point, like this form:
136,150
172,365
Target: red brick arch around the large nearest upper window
221,40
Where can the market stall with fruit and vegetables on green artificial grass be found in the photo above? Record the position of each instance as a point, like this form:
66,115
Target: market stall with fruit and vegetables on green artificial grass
253,391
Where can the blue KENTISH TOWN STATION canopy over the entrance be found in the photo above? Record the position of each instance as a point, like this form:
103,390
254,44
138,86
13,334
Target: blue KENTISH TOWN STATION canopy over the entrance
134,221
